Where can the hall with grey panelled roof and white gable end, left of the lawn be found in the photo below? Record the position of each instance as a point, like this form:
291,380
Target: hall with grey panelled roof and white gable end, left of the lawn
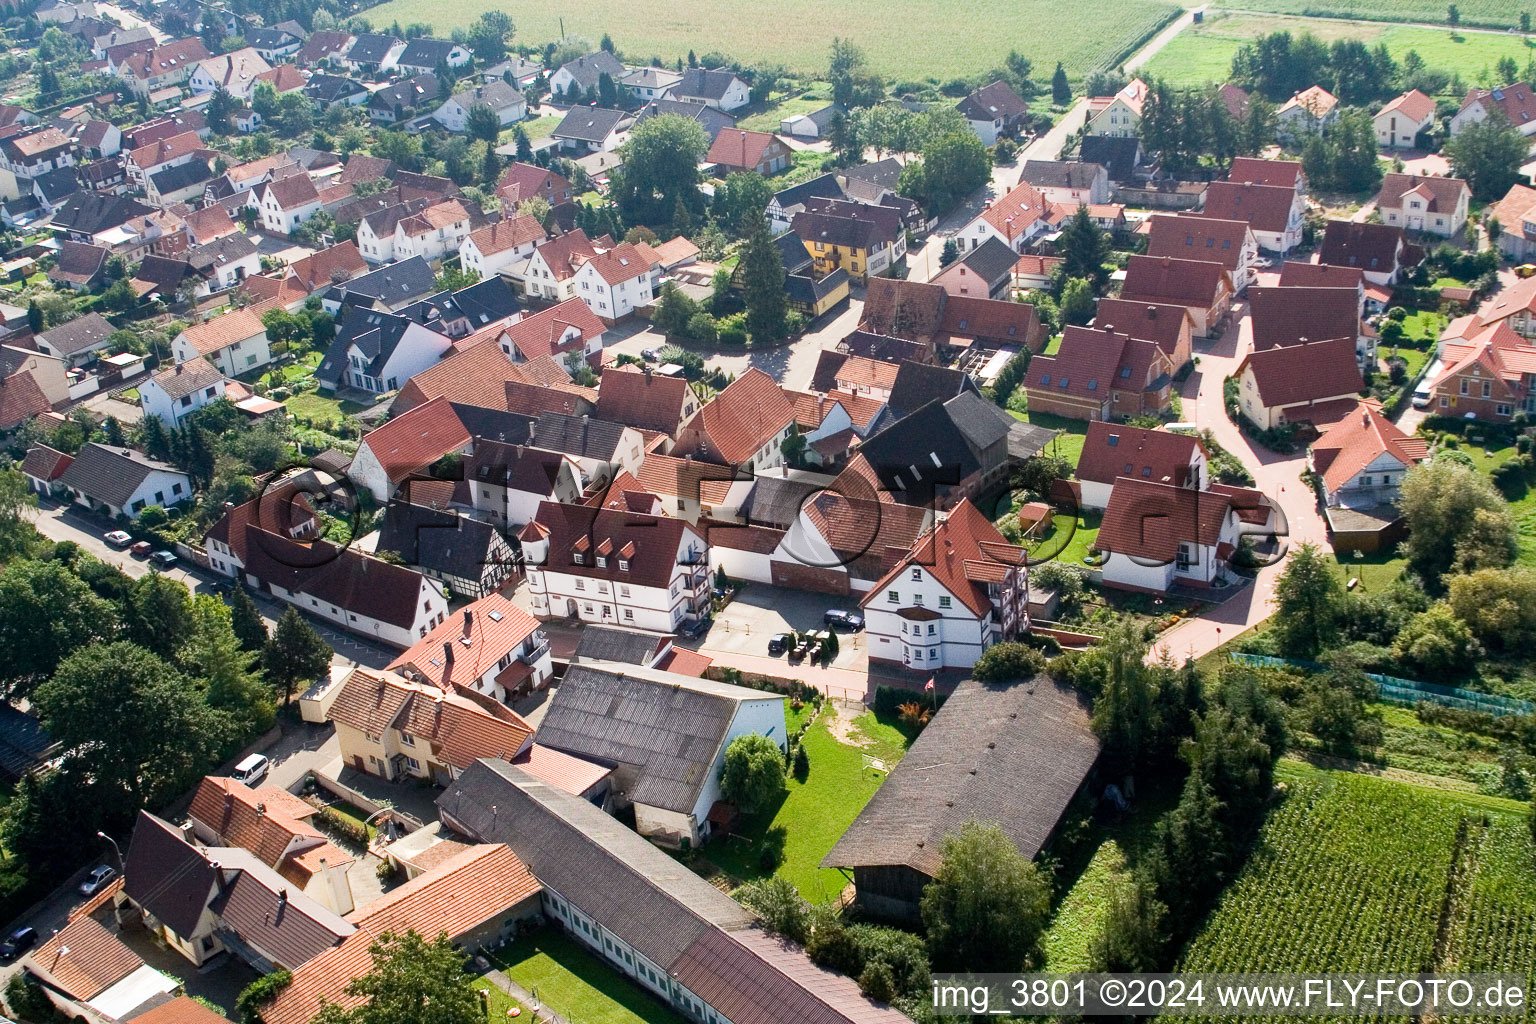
667,736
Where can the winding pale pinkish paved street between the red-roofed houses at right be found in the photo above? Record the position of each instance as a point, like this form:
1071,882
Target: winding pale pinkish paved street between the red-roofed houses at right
1276,475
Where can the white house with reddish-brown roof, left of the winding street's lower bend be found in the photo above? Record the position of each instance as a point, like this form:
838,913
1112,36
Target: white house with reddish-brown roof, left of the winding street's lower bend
1197,532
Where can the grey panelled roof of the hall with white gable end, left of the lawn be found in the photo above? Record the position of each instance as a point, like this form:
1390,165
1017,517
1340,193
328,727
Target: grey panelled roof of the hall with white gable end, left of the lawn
666,728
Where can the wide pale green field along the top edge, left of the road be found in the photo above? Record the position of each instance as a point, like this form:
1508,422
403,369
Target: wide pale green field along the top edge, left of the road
799,33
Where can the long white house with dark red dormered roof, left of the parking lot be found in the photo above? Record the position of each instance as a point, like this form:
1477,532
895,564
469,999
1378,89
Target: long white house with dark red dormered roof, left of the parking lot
615,567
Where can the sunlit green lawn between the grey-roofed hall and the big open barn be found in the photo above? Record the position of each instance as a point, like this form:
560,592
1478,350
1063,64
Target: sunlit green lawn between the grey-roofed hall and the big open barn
816,813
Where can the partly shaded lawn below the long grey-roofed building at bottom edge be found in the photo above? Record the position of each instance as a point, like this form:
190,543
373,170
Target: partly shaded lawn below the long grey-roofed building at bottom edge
577,985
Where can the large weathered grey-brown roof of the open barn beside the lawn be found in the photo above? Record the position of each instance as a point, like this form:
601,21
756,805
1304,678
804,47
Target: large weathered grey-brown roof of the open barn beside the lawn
1010,755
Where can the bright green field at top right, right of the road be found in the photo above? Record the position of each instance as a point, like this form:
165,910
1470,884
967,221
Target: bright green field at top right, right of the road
1203,53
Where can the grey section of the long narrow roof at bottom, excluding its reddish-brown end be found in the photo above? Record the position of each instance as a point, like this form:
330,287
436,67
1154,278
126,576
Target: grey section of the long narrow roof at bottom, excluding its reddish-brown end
643,896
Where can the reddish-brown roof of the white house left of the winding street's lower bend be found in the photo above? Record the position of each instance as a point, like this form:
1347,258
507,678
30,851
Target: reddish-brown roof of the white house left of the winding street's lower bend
1148,520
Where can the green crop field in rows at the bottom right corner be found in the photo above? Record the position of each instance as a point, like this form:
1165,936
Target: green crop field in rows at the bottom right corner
1351,874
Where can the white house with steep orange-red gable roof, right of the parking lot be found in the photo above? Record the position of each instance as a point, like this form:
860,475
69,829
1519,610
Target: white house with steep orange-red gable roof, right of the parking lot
961,590
